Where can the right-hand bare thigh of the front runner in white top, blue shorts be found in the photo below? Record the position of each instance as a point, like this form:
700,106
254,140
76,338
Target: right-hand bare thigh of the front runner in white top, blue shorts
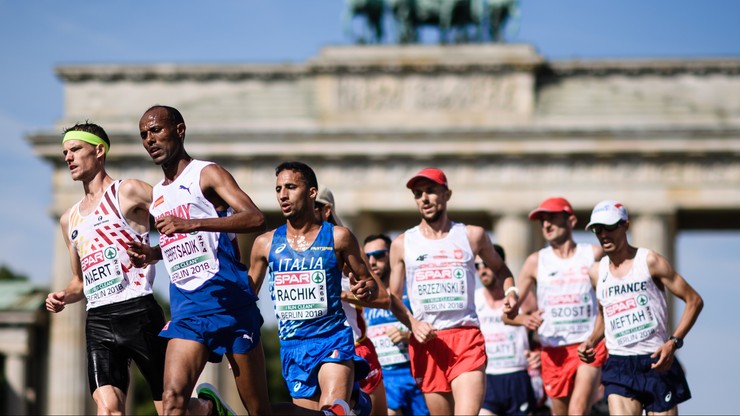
251,380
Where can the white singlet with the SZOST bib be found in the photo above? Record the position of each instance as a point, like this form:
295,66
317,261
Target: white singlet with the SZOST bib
565,294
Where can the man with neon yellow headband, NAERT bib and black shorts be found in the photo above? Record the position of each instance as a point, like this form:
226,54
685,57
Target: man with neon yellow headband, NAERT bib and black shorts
123,319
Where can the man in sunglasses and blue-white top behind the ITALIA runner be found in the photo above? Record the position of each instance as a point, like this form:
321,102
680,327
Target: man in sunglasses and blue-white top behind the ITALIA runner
391,339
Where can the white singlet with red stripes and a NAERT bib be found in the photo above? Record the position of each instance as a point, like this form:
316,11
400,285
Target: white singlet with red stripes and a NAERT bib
100,240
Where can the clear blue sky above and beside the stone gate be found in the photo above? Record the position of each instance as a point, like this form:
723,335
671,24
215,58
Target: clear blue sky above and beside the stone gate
38,35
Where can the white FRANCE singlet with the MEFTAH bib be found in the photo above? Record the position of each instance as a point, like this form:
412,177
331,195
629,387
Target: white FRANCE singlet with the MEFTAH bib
634,308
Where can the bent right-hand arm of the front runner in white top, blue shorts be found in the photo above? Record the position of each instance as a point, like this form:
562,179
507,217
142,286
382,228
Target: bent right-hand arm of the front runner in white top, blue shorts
220,188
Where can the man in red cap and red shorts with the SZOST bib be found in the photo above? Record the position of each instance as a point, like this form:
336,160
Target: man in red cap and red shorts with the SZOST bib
567,308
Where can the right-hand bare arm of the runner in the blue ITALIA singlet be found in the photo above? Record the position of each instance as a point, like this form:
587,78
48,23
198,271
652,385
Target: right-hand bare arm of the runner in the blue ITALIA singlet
365,287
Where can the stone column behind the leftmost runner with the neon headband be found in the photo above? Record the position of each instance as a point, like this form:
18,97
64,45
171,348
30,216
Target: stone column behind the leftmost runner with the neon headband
68,390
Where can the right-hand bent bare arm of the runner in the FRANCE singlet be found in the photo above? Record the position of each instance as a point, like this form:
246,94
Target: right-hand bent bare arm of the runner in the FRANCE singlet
662,271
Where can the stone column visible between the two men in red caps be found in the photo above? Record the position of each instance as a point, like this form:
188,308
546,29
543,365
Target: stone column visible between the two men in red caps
514,233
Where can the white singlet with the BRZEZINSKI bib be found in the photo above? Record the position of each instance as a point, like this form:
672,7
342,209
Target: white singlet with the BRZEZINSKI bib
440,278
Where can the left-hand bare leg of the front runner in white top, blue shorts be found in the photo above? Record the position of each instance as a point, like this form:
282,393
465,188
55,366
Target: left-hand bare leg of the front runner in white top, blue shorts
183,364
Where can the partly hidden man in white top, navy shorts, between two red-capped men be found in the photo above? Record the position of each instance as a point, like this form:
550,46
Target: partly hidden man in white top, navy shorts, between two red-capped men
509,388
